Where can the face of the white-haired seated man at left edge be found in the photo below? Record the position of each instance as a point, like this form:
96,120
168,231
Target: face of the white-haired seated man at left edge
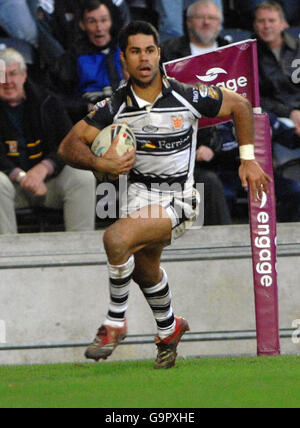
12,91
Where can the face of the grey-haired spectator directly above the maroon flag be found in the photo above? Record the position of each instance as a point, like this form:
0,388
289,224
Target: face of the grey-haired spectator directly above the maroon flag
205,24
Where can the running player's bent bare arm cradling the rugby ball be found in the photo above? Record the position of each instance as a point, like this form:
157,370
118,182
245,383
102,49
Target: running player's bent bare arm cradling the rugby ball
75,151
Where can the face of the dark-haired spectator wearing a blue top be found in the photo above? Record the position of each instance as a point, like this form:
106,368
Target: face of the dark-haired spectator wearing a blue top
97,24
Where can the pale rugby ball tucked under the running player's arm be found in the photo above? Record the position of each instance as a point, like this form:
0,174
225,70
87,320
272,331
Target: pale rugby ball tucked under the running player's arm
103,141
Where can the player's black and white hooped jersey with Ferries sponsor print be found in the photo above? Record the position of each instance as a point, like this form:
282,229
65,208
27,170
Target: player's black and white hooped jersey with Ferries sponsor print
166,131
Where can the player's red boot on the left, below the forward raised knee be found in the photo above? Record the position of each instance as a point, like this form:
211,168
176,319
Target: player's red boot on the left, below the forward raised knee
107,339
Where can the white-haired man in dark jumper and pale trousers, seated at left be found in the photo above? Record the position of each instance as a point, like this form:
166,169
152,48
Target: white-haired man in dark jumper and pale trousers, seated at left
32,125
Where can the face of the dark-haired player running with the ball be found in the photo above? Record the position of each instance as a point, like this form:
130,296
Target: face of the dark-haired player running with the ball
141,59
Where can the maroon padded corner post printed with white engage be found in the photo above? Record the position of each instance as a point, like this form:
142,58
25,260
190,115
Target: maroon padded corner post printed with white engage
263,226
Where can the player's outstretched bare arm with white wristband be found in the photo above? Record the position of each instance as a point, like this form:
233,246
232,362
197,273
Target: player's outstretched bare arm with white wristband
250,171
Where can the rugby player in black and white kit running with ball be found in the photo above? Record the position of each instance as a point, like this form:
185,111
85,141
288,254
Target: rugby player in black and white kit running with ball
163,114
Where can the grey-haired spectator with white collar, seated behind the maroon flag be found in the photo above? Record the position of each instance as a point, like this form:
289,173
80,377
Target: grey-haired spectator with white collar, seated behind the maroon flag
204,20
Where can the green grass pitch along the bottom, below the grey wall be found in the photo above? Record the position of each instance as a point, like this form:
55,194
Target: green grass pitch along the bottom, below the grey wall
244,382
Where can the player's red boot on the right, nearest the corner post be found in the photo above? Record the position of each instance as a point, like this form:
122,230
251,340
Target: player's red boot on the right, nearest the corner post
167,348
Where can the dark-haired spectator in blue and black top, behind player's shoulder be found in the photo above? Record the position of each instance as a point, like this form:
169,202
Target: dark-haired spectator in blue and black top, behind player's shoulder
90,70
